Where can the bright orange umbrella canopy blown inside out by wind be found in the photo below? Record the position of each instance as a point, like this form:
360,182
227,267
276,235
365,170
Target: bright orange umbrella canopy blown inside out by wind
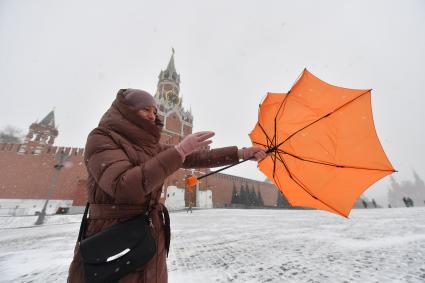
324,150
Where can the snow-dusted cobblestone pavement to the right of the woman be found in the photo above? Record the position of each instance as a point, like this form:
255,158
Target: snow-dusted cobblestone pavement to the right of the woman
375,245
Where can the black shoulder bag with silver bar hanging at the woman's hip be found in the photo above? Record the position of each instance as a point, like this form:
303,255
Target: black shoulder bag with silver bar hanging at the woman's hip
114,252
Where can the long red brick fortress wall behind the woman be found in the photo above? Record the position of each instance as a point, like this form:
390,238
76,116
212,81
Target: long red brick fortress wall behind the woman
30,177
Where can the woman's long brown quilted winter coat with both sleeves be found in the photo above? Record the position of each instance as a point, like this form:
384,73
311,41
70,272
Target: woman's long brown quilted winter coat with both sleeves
127,167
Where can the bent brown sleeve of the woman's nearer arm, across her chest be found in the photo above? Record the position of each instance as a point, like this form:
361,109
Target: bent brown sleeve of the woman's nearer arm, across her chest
117,176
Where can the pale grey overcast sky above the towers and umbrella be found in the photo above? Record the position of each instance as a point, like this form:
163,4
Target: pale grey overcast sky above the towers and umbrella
74,55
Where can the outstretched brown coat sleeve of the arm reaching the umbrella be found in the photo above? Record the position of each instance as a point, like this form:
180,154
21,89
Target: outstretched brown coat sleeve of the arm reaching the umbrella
208,158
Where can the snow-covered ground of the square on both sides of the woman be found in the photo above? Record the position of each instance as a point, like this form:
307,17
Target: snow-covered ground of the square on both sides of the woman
219,245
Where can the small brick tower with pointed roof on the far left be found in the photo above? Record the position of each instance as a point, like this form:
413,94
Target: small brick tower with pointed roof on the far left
40,135
